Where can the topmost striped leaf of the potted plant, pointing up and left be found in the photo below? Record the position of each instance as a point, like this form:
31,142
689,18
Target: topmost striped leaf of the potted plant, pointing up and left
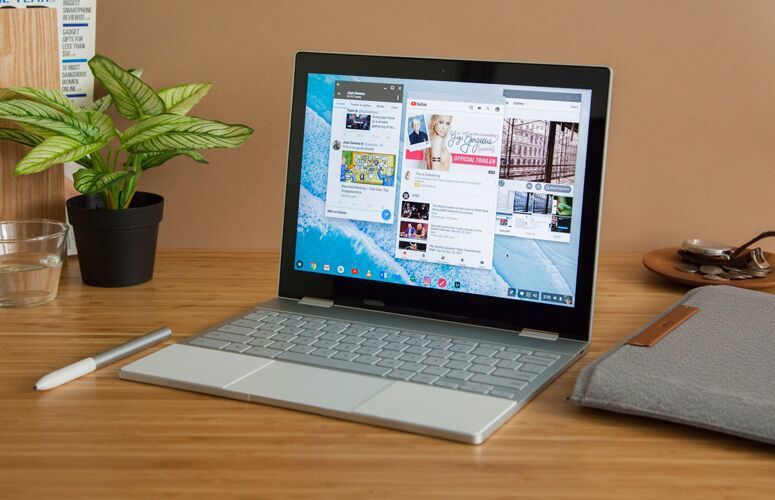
133,98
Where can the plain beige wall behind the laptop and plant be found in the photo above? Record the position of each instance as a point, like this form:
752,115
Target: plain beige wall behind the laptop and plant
692,140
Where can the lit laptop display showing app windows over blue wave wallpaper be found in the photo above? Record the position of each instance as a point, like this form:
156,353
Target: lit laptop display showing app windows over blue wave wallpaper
466,187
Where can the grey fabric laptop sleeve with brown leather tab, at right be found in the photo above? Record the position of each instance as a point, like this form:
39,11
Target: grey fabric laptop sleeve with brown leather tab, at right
716,370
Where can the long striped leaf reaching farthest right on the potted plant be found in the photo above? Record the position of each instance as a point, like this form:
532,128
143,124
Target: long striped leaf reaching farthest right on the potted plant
174,133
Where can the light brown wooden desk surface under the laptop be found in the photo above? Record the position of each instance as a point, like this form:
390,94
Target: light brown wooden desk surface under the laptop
101,436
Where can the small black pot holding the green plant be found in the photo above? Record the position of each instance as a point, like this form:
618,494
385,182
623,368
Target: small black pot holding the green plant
116,247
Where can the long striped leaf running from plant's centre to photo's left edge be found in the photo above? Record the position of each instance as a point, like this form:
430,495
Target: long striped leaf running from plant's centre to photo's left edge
43,117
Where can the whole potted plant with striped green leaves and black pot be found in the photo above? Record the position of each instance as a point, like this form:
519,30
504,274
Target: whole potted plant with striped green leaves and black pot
115,225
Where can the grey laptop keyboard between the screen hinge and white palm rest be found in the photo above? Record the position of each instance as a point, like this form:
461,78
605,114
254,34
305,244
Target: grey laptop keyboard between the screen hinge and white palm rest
484,368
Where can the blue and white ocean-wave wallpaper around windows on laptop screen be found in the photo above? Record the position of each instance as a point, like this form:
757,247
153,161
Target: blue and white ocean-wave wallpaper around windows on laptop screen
518,263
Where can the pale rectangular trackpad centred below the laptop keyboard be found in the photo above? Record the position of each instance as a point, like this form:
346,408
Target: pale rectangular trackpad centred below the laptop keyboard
308,386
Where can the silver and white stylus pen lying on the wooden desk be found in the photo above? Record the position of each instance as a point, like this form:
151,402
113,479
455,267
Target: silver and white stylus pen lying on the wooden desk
88,365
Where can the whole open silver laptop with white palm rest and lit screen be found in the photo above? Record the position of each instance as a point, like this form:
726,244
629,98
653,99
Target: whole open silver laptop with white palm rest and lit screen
439,247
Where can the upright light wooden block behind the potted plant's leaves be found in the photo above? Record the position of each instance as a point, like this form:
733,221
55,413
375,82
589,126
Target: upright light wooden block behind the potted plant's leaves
29,57
